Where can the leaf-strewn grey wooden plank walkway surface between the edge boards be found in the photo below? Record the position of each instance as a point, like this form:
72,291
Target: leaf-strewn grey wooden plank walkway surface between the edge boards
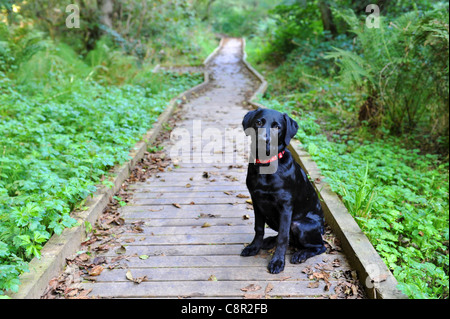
181,233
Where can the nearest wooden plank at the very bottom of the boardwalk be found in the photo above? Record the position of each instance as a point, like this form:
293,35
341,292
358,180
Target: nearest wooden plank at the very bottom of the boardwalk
203,289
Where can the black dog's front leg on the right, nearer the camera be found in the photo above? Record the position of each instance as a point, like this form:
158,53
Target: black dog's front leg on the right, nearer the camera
276,264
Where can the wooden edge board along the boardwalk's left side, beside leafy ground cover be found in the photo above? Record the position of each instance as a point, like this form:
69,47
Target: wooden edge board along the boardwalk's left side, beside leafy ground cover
59,247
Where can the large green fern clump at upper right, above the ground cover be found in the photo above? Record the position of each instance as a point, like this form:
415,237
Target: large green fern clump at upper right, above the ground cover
403,68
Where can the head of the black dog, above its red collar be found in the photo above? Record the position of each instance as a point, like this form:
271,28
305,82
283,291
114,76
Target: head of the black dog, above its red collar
258,123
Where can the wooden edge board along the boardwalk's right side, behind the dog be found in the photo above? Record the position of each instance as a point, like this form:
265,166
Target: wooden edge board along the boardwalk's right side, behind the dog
374,275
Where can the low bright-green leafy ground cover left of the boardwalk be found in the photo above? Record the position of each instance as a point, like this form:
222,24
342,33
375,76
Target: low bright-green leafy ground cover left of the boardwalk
53,153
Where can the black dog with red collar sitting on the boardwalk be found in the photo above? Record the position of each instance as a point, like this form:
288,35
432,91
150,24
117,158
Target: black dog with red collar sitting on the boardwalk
286,199
